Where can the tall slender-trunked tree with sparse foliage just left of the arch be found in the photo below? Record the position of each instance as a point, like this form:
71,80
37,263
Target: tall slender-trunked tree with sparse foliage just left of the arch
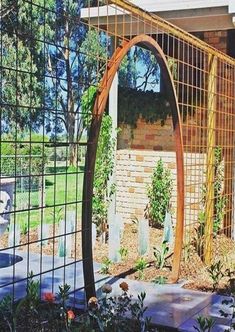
72,69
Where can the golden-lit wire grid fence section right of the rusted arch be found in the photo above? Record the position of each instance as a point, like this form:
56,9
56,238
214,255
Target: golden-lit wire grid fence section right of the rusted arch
204,82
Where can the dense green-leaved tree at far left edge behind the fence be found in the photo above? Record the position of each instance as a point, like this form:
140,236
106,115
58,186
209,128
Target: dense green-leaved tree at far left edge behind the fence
22,87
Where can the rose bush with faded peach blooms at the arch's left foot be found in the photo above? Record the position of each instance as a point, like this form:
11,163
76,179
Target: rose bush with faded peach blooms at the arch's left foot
110,312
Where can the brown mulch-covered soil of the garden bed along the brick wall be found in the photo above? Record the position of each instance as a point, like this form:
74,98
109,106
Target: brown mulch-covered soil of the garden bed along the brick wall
194,273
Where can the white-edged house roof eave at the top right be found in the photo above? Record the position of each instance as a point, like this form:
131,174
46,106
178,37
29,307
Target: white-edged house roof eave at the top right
190,15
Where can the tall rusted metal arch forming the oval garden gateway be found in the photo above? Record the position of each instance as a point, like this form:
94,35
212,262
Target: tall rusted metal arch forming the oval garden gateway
98,111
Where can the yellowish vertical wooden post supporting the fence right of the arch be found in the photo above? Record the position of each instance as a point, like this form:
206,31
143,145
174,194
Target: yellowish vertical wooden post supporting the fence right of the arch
210,172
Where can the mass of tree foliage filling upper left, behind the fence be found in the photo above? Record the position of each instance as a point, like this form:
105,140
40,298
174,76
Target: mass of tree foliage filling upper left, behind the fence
52,74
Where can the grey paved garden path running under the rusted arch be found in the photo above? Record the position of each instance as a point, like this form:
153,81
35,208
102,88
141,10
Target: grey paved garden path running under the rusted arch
170,306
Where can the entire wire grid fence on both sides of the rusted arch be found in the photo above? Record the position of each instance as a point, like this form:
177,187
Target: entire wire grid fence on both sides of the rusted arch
46,66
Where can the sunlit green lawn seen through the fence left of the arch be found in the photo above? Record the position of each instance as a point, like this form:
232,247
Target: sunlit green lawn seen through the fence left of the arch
60,189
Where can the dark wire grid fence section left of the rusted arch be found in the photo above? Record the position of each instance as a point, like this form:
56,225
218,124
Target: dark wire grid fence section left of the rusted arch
42,146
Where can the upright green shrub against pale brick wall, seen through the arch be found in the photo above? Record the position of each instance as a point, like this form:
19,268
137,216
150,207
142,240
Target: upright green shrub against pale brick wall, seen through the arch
159,195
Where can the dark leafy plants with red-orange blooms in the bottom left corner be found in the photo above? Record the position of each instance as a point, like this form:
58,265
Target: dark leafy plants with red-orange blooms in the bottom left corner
35,314
